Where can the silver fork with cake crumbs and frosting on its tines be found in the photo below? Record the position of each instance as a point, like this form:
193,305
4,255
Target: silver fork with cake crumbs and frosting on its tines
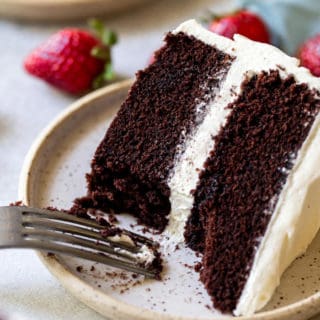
59,232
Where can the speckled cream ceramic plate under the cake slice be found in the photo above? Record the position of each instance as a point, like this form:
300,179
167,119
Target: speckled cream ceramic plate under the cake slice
54,174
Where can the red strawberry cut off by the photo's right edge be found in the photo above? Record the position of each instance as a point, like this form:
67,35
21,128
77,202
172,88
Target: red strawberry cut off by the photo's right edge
309,55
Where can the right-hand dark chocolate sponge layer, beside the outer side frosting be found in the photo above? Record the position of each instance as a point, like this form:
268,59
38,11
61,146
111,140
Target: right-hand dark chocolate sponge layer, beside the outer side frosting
243,177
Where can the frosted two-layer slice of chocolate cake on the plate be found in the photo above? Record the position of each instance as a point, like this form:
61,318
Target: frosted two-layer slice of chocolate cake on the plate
217,145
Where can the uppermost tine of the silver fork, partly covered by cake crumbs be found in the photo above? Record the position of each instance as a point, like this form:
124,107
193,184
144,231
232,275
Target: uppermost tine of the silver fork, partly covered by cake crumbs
58,215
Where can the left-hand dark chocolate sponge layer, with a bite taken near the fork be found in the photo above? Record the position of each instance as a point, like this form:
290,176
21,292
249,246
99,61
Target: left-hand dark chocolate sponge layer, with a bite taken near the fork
131,166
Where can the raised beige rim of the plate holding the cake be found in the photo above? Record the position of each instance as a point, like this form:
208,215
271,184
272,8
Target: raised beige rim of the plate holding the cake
81,290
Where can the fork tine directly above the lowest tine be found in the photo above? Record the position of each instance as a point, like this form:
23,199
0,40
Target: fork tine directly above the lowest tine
74,240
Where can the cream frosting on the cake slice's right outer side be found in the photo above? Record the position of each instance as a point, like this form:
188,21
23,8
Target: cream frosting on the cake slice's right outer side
294,224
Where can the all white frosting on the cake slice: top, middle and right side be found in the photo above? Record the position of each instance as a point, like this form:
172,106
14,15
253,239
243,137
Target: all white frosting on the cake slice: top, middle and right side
296,218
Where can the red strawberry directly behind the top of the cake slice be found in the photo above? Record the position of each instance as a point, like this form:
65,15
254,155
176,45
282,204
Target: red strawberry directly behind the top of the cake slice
243,22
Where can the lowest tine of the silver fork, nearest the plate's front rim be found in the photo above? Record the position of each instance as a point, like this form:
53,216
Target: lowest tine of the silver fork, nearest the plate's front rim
88,255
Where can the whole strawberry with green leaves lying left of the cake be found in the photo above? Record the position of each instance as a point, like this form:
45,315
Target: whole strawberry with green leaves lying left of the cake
74,60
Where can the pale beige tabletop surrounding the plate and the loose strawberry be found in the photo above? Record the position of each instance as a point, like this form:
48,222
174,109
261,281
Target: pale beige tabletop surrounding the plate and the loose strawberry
27,105
